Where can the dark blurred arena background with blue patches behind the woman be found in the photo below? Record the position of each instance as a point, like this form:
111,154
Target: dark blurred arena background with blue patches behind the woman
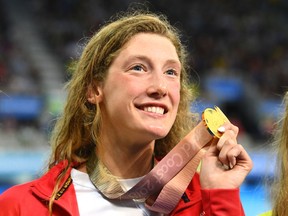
239,56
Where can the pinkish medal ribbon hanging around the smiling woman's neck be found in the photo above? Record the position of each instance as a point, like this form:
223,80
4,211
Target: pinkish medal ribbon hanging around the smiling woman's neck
164,185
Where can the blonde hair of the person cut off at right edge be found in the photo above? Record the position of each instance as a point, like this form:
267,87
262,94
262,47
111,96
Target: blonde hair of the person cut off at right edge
280,183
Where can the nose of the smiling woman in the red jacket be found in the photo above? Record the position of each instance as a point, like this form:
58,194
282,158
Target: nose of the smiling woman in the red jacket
158,87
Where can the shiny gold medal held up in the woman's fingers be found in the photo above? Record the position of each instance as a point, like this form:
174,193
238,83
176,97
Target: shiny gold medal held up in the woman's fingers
213,119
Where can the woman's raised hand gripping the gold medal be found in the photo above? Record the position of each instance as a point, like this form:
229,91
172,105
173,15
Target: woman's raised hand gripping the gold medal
226,163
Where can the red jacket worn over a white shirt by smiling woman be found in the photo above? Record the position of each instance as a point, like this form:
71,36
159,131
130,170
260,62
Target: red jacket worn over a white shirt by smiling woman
31,199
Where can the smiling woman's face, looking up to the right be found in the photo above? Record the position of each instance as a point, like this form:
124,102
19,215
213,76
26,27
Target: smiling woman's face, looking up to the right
141,94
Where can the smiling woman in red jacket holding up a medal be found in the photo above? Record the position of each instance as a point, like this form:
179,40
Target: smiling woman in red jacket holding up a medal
127,107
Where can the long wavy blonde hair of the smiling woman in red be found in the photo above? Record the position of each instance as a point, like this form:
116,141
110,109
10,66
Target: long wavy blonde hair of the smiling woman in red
76,132
